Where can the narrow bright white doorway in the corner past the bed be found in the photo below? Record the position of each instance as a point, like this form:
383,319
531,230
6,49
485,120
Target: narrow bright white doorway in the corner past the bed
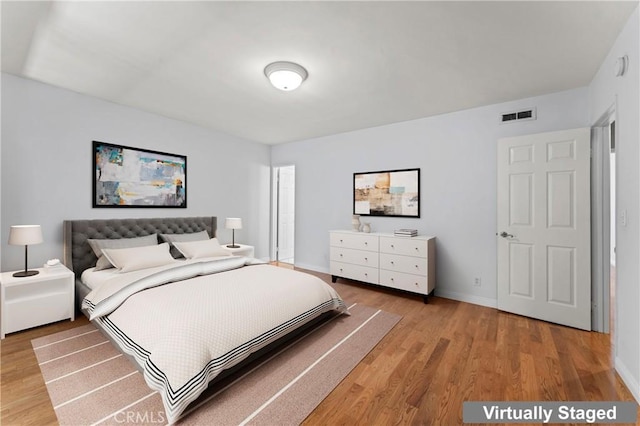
283,244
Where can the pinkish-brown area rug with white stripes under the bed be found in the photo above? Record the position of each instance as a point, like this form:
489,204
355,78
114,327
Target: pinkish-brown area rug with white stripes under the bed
90,382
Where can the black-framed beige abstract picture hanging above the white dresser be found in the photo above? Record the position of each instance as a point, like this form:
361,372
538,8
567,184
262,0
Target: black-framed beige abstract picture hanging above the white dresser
388,193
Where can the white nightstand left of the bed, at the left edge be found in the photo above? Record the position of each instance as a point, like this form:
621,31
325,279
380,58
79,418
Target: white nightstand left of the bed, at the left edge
27,302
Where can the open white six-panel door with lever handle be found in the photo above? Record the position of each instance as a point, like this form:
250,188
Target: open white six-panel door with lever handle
544,248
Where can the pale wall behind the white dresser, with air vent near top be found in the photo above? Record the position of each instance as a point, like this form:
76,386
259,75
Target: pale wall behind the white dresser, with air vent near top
456,154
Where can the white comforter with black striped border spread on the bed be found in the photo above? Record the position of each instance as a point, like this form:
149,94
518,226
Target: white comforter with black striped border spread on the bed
186,324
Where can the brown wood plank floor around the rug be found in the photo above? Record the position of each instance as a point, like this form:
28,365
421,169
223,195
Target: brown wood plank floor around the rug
439,355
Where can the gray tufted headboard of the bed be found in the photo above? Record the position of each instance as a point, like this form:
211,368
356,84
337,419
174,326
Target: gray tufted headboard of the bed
78,255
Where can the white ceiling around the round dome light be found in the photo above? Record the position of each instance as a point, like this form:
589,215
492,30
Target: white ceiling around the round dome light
370,63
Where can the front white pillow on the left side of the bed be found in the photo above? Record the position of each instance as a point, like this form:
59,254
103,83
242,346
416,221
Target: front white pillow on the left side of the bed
135,258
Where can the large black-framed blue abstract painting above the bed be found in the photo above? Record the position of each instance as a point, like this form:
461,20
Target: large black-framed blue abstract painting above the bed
126,177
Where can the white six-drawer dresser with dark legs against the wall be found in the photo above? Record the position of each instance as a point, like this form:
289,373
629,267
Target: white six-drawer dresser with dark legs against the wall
403,263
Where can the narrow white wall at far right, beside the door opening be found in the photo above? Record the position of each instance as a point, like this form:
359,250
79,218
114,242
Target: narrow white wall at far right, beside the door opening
623,92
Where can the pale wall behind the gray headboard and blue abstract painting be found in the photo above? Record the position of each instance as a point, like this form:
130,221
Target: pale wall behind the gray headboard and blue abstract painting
46,172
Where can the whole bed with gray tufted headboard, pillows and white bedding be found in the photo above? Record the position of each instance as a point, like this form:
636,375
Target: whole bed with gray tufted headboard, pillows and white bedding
182,308
